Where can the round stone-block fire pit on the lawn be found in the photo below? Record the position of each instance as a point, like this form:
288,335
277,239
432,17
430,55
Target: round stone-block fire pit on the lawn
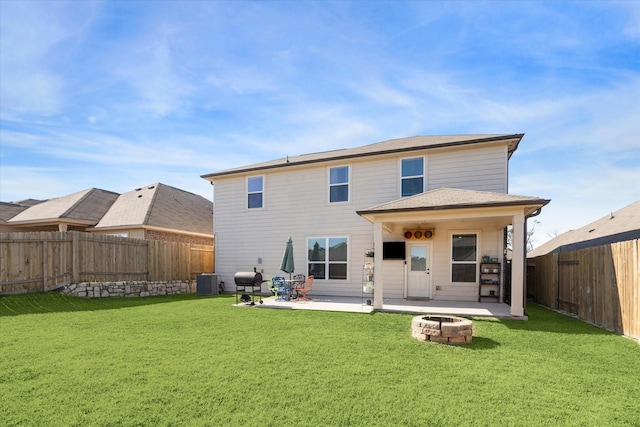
444,329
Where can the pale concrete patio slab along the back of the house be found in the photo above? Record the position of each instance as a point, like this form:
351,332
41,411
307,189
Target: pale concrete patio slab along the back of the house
355,305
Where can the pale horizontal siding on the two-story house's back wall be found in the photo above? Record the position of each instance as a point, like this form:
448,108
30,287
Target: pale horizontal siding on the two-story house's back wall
296,204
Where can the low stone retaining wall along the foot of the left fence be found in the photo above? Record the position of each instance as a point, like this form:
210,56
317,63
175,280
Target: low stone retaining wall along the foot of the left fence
129,289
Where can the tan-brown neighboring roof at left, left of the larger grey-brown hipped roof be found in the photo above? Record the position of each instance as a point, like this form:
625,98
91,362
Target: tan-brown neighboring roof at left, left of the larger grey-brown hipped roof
82,208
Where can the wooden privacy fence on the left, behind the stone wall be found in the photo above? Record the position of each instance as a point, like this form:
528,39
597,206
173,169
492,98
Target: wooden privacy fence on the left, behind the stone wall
42,261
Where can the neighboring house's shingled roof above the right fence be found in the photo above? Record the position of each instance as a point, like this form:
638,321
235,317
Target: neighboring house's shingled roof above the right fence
620,225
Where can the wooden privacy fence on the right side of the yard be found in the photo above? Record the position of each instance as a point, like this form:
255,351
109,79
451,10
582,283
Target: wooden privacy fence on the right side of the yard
600,285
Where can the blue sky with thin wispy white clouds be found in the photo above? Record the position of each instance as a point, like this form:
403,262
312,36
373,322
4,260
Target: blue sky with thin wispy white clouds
118,95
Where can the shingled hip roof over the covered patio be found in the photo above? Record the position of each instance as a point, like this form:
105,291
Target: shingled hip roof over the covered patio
454,198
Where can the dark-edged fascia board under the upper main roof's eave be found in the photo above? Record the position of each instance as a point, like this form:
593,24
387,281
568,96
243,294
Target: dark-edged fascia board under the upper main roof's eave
505,138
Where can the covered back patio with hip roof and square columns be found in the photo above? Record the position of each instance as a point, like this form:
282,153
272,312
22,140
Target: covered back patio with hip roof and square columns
484,215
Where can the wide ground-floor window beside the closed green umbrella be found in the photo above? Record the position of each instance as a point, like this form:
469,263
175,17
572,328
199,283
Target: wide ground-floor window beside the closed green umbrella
327,257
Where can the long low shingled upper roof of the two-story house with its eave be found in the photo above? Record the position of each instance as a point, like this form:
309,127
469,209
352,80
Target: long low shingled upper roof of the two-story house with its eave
386,147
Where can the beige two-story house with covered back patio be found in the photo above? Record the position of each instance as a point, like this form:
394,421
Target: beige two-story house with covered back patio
432,212
